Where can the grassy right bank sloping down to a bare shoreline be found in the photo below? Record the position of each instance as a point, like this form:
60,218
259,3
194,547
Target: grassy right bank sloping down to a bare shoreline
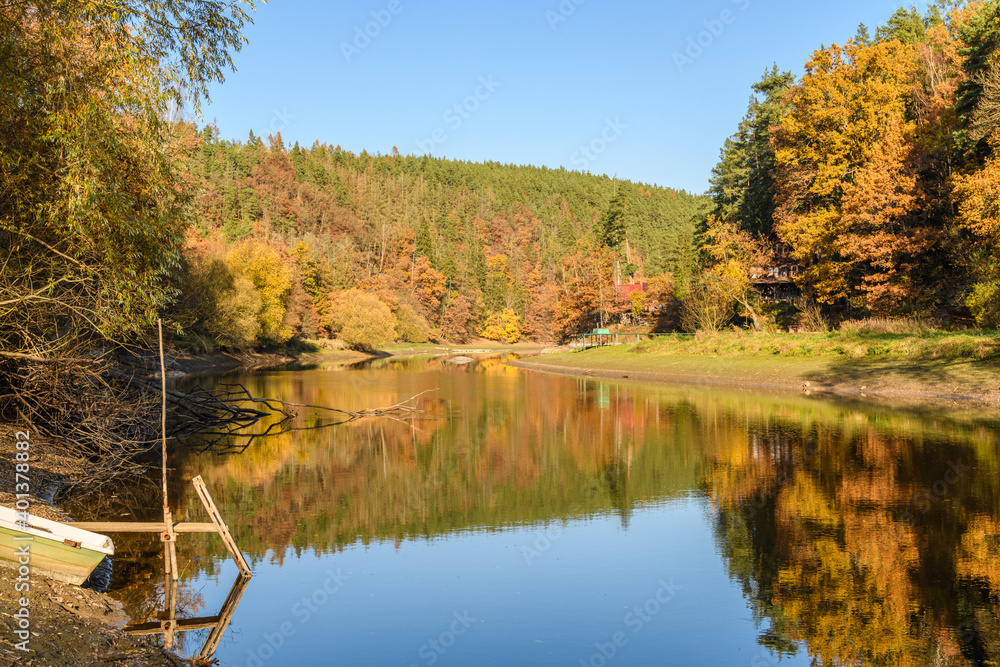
951,366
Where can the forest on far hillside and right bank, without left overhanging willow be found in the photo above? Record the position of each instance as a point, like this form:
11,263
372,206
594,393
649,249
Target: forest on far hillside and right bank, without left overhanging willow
875,168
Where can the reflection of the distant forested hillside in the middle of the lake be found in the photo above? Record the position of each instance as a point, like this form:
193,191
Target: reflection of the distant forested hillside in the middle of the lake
495,448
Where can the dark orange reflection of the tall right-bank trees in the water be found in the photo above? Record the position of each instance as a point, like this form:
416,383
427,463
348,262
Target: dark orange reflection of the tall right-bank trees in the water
828,527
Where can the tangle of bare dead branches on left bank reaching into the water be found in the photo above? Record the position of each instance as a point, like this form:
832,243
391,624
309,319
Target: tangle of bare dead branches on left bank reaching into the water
101,407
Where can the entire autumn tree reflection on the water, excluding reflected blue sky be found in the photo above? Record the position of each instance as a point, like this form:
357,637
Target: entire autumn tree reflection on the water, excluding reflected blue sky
843,525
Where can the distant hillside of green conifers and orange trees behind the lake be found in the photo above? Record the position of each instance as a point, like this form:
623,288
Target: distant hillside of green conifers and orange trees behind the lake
289,241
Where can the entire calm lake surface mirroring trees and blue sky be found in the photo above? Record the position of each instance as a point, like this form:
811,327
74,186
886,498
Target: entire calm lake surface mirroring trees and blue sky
529,519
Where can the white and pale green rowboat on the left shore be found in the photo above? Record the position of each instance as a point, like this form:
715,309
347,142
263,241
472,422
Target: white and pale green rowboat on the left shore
56,550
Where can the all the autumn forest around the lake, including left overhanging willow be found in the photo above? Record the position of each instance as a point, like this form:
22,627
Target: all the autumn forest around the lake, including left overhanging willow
874,172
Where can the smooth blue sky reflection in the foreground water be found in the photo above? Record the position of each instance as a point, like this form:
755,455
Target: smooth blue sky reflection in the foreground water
585,582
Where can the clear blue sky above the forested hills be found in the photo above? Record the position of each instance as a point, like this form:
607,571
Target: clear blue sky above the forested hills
534,81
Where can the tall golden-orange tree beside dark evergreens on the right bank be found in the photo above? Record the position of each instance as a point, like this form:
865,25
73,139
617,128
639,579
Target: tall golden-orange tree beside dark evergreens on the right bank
846,189
